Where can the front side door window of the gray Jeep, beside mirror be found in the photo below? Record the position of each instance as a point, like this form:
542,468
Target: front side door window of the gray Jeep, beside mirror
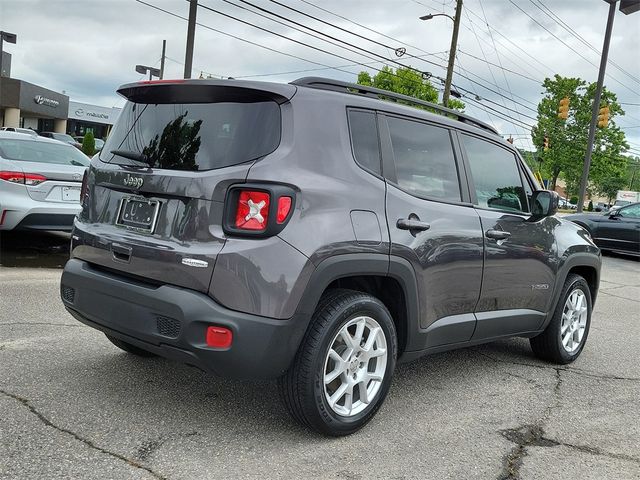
495,175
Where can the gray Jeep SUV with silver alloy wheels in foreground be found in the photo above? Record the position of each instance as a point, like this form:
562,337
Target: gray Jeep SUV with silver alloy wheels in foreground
318,232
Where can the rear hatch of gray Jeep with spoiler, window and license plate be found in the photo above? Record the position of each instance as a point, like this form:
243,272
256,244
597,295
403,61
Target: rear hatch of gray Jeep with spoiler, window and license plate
156,193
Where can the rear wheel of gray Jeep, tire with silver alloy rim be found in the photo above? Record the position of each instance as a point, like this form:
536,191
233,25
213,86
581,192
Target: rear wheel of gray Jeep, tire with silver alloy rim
360,368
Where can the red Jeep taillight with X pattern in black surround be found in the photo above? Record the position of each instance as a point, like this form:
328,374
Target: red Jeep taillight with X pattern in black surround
256,209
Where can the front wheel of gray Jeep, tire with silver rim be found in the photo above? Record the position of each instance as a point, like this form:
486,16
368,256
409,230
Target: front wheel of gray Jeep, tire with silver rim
560,343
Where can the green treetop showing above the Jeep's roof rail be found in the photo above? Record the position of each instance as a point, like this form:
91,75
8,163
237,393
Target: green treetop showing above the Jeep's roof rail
405,81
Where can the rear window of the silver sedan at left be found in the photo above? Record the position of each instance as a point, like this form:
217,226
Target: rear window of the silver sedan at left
42,151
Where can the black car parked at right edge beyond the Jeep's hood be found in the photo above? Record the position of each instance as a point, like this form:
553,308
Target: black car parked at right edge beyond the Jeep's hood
617,230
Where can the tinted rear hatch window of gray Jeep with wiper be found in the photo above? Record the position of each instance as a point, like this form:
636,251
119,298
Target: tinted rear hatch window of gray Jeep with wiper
194,136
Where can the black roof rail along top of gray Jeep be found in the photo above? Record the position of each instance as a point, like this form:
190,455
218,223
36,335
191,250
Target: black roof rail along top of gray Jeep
354,88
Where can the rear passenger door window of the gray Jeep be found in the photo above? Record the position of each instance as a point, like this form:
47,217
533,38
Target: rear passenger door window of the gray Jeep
425,165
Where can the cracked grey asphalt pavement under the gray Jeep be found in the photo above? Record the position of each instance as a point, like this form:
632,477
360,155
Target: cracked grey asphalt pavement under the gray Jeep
74,406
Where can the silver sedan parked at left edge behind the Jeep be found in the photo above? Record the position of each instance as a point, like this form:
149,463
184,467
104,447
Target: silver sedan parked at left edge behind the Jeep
40,182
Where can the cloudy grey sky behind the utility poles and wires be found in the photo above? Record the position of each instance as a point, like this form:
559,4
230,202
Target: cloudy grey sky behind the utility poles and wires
506,47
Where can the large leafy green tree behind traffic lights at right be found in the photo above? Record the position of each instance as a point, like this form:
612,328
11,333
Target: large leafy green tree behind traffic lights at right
568,138
